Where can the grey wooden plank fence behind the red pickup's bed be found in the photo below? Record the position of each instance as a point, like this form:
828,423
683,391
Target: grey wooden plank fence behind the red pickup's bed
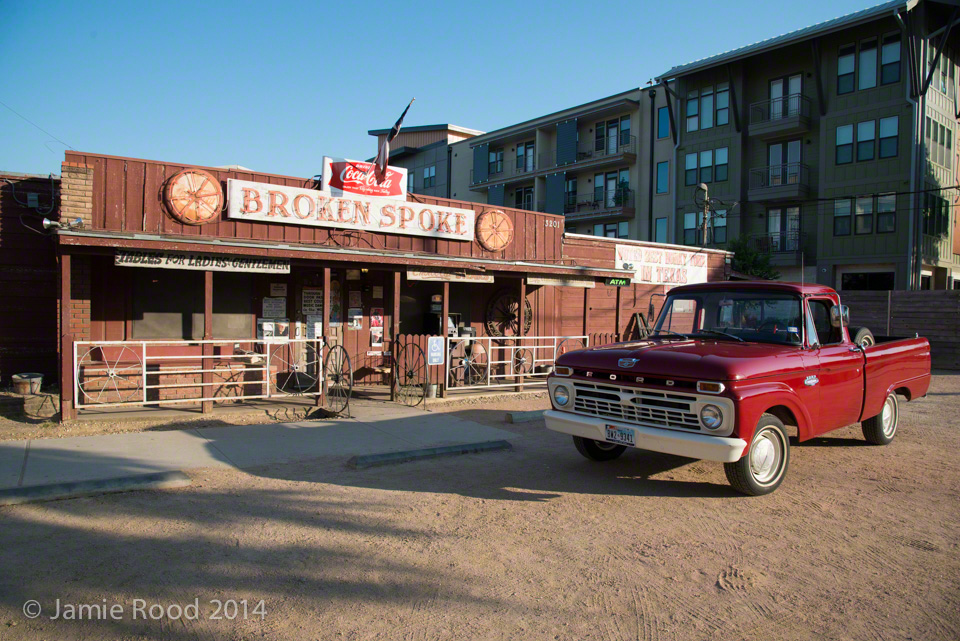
934,315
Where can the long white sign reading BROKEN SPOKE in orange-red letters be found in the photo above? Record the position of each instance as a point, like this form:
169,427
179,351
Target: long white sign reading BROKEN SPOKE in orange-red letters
267,203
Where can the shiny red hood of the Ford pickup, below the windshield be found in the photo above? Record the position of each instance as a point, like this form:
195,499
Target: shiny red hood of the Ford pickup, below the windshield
702,359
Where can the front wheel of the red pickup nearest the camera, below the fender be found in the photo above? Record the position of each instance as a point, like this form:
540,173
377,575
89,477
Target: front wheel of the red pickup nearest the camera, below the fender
762,469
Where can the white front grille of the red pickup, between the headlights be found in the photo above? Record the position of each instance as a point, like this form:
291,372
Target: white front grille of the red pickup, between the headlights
651,408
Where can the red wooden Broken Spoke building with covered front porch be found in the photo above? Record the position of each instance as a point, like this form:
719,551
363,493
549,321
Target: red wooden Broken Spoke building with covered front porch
209,259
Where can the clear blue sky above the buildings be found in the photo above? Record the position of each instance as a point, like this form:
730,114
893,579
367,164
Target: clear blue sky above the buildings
275,86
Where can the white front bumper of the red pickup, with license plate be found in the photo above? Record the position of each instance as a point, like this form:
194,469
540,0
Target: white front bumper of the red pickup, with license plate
702,446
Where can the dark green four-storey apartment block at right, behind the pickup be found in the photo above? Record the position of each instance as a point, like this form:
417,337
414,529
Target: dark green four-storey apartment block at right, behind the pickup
830,148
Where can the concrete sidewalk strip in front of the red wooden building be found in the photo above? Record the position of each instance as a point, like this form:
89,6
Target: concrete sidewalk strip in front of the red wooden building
375,427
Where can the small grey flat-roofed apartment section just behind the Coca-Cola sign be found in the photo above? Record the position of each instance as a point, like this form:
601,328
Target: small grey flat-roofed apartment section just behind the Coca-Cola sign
424,152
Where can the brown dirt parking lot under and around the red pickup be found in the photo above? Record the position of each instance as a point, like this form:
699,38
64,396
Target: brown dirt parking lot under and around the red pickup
860,542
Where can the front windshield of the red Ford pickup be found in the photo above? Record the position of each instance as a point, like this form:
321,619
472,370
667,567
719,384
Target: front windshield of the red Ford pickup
763,317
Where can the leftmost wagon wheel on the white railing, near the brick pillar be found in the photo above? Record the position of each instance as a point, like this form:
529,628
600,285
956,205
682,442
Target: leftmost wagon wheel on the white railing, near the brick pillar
107,378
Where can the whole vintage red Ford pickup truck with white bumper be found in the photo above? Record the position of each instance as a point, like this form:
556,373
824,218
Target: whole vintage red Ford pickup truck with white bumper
728,372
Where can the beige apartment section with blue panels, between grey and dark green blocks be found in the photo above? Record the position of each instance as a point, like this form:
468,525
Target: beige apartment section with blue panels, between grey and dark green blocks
599,164
